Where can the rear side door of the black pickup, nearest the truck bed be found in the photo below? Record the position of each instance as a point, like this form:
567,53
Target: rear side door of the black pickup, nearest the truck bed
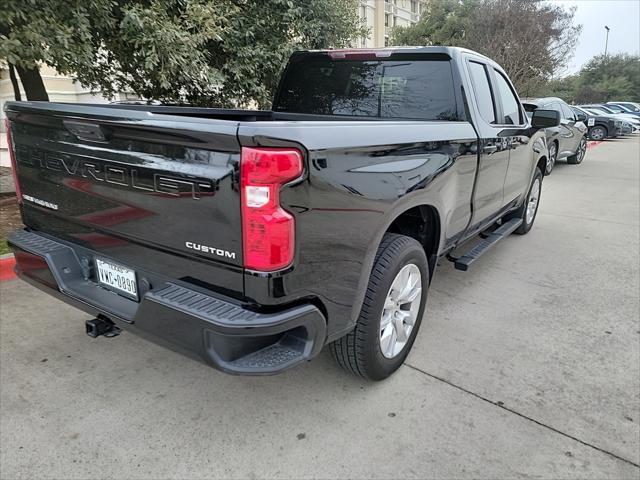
493,158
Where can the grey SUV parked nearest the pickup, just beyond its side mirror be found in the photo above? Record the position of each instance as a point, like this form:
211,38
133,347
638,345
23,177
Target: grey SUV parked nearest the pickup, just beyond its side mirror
567,140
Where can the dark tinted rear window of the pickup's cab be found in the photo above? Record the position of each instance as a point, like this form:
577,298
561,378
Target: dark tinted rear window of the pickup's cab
394,86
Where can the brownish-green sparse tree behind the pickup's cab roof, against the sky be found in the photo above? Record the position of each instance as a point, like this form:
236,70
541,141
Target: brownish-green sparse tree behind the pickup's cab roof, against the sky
531,39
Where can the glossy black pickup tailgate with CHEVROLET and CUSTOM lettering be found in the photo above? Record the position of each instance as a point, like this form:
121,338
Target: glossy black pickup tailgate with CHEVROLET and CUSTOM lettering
148,190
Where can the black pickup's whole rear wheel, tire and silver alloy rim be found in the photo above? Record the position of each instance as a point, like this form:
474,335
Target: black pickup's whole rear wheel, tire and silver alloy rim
391,312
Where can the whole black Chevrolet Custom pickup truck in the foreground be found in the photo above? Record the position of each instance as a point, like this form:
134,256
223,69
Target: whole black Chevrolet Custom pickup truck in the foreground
251,239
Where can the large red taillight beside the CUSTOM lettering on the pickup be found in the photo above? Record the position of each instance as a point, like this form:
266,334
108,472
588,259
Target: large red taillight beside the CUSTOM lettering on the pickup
268,231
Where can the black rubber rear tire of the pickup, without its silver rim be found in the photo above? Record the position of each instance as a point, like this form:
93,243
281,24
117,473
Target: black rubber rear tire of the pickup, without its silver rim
360,352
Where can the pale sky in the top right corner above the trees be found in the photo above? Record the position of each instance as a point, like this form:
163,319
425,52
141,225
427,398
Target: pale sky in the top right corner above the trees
621,16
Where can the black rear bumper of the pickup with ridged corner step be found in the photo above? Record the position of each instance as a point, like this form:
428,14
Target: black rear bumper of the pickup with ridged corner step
222,332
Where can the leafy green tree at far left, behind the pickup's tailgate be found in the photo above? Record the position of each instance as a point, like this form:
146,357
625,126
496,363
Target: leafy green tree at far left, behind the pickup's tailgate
154,48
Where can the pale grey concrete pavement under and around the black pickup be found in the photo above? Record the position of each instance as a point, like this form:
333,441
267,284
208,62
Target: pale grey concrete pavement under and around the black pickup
526,366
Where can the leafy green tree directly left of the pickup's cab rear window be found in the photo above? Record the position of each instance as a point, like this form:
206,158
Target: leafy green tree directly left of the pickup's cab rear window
254,50
